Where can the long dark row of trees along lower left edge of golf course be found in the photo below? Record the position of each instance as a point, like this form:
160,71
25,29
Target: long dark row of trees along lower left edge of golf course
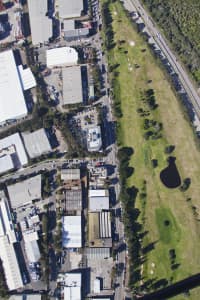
130,215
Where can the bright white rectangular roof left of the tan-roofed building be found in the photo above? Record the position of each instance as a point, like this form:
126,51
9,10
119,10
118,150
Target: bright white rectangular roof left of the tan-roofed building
72,232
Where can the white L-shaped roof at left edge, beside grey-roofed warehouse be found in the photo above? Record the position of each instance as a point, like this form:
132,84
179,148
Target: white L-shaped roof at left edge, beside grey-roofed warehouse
15,140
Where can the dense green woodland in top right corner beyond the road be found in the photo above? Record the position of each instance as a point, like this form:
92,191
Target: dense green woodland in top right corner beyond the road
180,22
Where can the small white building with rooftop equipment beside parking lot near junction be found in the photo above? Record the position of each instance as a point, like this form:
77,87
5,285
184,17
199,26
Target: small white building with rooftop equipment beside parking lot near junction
94,141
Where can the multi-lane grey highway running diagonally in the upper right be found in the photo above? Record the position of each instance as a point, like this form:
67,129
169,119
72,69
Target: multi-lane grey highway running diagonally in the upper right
135,5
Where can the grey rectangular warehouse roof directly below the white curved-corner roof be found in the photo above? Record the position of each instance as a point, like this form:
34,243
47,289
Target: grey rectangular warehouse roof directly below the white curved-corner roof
72,85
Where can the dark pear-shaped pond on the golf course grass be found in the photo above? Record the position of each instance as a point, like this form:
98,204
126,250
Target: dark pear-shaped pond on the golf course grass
170,176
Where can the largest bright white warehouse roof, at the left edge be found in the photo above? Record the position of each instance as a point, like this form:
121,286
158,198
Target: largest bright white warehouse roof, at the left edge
12,102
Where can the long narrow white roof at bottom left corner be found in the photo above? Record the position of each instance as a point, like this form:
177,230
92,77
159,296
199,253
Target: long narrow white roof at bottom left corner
10,264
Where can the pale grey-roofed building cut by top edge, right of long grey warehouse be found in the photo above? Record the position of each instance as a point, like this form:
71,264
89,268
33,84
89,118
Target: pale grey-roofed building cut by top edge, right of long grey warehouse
70,9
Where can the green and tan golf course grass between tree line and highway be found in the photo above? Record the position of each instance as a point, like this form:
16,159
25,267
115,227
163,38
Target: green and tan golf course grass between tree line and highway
137,72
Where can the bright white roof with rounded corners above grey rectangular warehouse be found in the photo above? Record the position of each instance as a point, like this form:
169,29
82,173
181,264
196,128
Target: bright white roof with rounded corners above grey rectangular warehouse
63,56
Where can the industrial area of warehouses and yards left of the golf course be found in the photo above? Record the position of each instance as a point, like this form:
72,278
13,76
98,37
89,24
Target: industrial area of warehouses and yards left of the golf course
57,228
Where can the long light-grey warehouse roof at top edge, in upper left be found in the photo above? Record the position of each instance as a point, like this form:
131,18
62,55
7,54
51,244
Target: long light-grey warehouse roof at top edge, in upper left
41,25
